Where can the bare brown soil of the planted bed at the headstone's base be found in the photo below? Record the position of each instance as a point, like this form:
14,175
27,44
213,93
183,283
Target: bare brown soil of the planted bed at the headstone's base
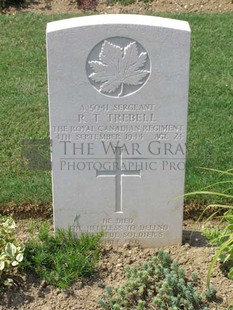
194,255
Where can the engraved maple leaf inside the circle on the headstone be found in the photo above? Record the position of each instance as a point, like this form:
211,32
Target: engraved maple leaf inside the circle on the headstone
118,66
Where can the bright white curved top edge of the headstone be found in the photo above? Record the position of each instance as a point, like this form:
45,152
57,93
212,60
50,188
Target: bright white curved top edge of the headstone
118,19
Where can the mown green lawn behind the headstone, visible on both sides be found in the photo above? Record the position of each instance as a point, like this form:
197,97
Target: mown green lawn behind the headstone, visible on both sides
24,106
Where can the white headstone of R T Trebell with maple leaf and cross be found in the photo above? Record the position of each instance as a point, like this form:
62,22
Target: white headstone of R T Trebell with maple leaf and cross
118,93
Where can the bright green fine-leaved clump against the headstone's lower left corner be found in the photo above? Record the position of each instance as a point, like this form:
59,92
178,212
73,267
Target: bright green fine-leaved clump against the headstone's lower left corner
61,258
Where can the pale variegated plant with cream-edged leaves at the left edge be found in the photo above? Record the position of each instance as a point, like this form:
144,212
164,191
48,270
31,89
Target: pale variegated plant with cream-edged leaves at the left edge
11,254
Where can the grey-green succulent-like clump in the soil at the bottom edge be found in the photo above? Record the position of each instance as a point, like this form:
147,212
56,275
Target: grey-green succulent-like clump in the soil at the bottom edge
157,284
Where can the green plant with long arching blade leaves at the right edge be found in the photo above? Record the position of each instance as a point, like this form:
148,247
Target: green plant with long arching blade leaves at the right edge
222,236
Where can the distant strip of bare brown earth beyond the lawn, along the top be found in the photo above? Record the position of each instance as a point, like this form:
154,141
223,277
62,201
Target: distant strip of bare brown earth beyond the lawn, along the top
104,7
